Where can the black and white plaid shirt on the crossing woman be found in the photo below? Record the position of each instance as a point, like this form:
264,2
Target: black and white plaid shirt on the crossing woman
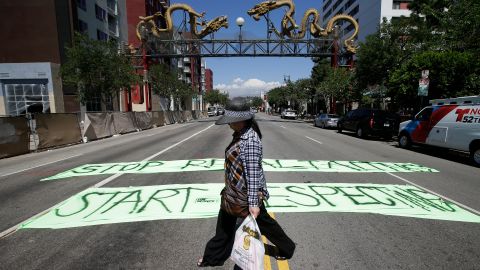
247,165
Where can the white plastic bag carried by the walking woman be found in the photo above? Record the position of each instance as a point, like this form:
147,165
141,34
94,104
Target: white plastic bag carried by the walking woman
248,250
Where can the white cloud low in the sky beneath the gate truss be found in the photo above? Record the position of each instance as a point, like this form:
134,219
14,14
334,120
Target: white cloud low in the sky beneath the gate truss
251,87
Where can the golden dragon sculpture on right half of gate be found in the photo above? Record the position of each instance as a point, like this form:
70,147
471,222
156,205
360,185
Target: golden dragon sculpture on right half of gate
289,25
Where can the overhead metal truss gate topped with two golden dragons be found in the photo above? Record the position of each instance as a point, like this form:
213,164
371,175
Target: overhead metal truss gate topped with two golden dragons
195,39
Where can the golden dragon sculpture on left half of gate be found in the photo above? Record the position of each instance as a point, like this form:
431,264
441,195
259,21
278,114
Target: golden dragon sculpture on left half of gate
208,27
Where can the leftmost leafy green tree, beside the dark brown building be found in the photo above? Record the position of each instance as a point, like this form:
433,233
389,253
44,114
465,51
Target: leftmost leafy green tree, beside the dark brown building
96,69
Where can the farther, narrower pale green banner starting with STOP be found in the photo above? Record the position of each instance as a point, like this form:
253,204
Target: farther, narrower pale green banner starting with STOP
213,164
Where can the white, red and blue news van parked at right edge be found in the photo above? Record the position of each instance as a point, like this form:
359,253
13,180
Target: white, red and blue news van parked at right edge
450,123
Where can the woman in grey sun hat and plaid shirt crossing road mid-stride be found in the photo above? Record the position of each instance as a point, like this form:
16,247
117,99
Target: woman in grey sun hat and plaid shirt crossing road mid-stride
244,192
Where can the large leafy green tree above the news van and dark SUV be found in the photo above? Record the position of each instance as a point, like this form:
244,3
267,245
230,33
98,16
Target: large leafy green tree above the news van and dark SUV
441,36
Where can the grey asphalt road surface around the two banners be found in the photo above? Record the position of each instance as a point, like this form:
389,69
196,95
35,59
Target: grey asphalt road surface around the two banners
325,240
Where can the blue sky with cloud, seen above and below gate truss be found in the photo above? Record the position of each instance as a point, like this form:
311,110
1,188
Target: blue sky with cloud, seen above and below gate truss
241,76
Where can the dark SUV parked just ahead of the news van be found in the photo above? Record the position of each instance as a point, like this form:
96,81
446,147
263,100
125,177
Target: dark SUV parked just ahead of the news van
373,122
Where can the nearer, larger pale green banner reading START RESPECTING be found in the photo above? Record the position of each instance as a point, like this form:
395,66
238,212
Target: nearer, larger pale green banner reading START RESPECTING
96,206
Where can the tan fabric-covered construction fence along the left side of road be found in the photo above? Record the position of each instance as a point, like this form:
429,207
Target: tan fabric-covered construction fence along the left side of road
21,135
